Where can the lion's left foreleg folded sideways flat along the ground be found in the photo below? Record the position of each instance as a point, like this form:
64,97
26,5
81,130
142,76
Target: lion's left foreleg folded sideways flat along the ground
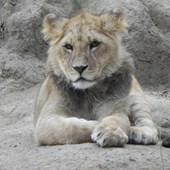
55,129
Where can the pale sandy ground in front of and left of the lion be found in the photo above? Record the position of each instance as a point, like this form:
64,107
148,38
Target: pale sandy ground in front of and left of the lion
18,151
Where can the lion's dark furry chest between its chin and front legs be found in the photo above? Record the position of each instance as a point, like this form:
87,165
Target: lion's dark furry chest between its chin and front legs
103,100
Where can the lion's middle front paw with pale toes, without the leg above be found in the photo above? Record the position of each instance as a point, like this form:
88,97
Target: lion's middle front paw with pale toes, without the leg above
107,136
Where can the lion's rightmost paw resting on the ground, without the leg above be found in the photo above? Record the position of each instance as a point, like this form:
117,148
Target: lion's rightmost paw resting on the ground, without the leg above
143,135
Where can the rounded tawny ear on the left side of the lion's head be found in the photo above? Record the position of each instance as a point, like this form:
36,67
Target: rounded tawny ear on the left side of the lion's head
52,26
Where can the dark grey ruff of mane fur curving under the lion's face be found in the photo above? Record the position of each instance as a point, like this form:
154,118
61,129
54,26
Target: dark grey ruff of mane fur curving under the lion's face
115,87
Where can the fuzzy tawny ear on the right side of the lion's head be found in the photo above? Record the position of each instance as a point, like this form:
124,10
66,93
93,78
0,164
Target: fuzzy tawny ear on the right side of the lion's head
114,21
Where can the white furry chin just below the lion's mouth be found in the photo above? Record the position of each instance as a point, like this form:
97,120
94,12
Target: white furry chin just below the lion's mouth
83,84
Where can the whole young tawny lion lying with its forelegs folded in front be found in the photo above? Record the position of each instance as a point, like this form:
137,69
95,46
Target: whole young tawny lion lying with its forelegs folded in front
90,93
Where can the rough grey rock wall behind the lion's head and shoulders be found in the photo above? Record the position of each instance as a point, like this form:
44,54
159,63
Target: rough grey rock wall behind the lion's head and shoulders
23,51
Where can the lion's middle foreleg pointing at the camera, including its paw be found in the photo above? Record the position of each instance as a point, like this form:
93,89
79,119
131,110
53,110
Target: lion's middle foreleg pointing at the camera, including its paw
112,131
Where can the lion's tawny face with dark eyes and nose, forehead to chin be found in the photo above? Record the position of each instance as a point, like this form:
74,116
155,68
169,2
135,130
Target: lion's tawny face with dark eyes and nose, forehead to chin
84,49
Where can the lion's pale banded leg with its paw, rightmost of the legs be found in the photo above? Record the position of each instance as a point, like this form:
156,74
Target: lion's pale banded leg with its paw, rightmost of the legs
143,130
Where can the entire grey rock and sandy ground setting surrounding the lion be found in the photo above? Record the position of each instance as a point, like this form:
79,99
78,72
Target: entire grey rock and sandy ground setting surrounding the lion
22,69
